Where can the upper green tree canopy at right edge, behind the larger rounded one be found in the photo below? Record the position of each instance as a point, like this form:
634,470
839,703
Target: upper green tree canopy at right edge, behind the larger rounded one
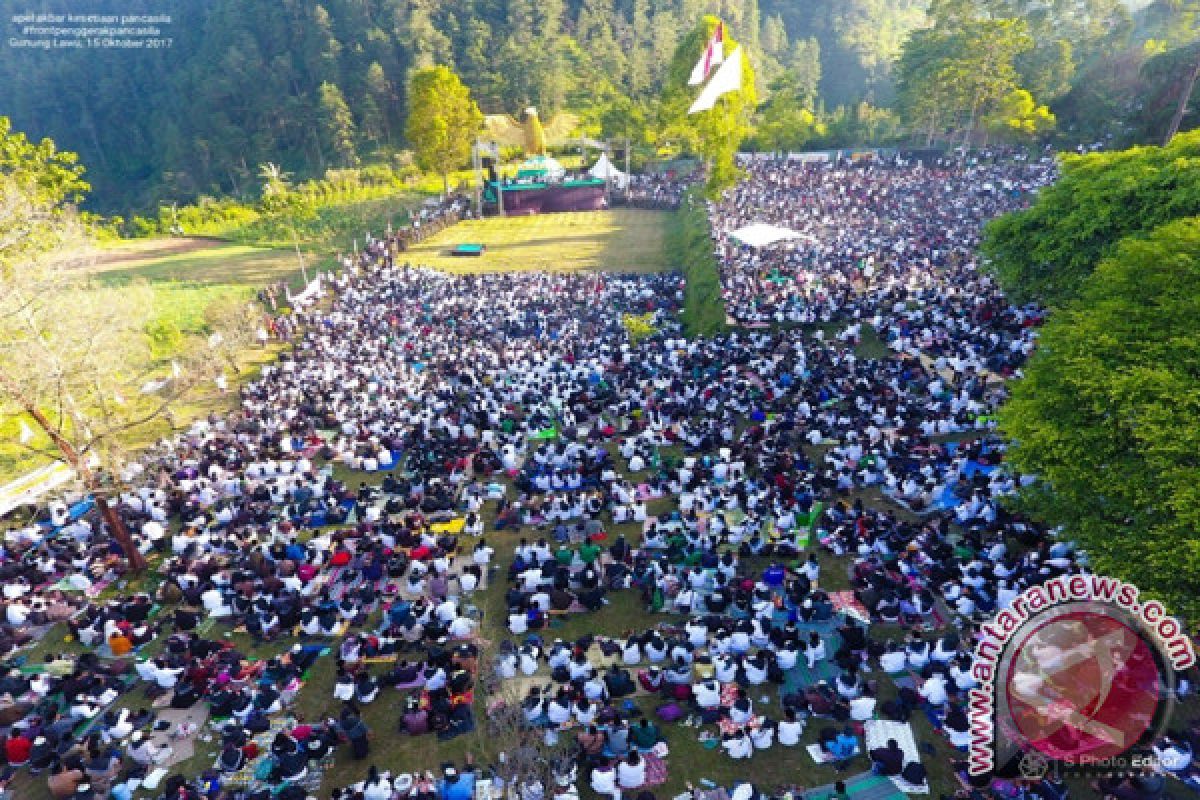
1047,251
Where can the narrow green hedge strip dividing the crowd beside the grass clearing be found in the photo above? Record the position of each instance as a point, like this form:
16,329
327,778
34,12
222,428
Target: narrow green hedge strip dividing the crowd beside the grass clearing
689,240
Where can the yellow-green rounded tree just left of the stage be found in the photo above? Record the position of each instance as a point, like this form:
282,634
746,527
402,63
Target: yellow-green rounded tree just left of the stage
443,121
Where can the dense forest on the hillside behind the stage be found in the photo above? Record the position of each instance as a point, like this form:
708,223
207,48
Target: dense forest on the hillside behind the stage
321,86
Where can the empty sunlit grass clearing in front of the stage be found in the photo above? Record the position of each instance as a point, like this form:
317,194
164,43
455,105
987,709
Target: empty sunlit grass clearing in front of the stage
621,242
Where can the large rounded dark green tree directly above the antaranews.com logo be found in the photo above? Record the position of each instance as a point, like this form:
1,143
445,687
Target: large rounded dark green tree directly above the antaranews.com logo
1106,416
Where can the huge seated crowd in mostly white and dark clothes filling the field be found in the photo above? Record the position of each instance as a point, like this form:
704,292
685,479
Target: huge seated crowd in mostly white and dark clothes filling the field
730,465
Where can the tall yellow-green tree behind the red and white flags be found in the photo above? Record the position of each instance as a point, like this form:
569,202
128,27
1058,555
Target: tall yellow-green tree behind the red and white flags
716,134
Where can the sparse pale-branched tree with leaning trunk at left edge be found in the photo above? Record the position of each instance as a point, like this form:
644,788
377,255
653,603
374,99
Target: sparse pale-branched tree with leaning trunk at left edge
76,360
